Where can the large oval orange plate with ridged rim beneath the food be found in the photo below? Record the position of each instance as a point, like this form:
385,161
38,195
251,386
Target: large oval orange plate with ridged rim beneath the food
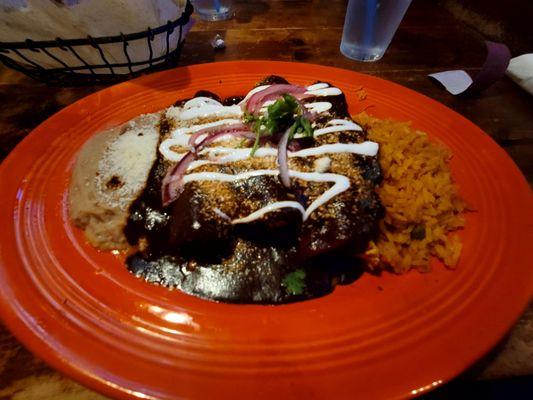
380,337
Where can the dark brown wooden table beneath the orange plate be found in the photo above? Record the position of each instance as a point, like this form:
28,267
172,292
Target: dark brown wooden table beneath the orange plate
430,39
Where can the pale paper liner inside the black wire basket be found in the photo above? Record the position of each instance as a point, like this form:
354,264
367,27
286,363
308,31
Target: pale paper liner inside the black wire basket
69,19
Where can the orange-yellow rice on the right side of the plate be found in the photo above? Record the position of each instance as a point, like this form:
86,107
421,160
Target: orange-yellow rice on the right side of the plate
418,194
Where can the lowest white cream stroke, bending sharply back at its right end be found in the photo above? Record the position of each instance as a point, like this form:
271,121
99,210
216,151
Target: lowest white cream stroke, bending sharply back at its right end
341,183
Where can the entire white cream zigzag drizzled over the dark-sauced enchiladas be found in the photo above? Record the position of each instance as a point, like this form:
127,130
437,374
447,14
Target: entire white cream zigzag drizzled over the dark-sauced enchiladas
204,107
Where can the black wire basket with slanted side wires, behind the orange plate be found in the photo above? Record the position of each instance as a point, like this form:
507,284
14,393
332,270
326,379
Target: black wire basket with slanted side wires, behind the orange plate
72,69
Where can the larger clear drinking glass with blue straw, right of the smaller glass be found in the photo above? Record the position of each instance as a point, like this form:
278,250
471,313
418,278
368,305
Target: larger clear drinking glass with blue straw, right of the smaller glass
369,27
